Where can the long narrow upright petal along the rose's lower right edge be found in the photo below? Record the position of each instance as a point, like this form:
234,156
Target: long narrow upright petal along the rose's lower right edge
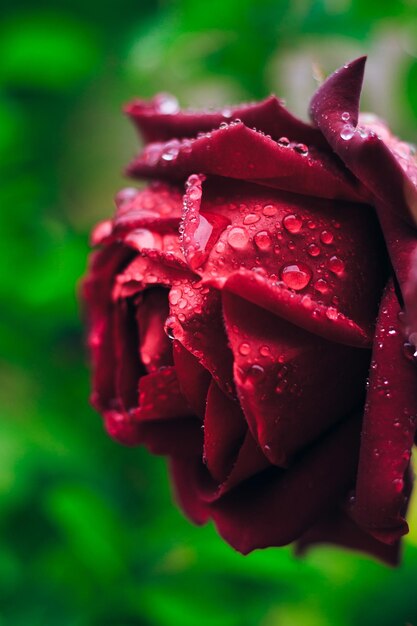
388,431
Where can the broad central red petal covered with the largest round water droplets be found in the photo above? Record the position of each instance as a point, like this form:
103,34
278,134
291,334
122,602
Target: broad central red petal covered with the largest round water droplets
302,259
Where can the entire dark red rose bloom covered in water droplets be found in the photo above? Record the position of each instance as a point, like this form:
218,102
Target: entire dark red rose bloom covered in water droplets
252,317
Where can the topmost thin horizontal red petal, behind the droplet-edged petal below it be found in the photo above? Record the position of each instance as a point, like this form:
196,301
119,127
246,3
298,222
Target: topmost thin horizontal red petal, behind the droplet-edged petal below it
161,120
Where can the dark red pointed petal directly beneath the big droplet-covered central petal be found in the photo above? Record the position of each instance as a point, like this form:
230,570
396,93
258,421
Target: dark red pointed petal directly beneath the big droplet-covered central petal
292,385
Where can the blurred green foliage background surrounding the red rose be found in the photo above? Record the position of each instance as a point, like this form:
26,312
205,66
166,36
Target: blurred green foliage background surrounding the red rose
88,533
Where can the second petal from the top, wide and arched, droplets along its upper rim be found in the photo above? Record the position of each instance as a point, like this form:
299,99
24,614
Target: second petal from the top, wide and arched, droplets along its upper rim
242,153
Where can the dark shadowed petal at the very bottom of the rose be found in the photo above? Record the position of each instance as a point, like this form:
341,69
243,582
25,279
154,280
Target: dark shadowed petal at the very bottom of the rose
280,505
